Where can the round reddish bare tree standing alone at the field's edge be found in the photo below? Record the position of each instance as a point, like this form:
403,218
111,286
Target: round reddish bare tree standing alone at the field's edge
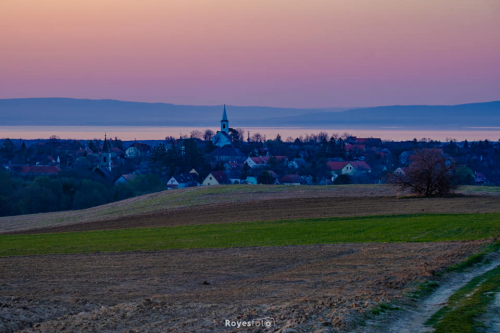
430,174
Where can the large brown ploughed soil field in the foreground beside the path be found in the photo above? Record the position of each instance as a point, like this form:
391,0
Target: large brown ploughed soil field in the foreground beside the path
323,288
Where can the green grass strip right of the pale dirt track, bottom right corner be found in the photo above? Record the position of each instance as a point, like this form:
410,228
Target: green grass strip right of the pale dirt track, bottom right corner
467,305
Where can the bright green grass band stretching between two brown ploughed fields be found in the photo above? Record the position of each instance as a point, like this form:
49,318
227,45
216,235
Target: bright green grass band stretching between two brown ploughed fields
403,228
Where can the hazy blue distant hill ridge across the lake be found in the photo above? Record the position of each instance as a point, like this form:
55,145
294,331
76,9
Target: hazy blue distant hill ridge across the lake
86,112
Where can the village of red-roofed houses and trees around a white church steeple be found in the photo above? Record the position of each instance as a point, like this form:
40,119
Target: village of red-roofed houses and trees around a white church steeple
117,170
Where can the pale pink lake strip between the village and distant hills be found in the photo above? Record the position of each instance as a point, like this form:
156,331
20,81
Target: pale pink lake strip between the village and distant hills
158,133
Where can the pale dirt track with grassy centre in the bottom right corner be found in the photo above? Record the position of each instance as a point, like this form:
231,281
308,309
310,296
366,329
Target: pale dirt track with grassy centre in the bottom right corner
413,320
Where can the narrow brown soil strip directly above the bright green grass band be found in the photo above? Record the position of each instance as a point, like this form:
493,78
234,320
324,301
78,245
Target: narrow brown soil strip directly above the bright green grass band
284,209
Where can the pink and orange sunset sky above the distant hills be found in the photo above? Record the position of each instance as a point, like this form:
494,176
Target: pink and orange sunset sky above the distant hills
282,53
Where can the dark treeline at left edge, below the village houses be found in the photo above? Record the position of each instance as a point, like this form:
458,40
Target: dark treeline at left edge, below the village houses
44,194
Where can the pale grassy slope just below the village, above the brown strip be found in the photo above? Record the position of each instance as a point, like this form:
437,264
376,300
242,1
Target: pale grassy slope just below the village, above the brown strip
190,197
